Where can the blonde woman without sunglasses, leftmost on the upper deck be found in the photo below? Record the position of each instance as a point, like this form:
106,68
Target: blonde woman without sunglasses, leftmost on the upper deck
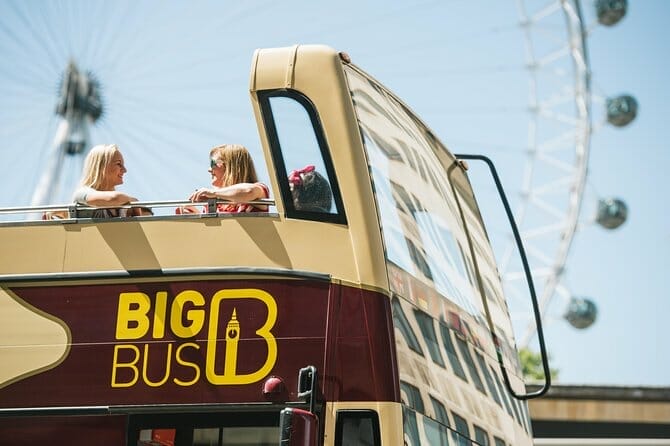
103,171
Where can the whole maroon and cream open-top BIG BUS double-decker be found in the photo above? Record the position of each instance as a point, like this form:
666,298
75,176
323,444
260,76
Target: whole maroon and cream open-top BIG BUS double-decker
380,320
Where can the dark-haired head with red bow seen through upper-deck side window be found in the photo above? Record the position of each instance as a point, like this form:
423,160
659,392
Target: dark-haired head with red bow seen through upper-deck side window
310,190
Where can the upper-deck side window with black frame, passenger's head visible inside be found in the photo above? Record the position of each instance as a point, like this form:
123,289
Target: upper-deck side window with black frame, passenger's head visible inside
300,153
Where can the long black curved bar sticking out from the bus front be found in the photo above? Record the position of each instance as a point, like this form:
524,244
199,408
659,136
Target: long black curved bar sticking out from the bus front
531,287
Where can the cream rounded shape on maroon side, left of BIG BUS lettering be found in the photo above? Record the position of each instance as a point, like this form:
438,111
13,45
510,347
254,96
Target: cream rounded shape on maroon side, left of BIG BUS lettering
31,341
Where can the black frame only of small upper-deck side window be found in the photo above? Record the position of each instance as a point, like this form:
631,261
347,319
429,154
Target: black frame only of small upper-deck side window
268,118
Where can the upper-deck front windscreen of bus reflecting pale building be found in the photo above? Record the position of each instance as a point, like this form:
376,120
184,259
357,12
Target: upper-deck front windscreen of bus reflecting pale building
418,213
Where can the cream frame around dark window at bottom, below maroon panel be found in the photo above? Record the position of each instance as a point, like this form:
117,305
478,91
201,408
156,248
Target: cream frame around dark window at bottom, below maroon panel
390,420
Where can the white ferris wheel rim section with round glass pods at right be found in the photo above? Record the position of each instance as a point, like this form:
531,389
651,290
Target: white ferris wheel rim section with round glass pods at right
555,172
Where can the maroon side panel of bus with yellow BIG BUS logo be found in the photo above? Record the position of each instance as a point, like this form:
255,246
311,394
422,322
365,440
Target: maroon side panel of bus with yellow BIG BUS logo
192,341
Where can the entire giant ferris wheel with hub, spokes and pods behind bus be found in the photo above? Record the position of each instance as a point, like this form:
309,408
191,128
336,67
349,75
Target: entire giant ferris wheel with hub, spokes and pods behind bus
166,91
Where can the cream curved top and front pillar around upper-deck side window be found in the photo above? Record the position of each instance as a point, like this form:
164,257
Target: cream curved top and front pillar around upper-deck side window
318,75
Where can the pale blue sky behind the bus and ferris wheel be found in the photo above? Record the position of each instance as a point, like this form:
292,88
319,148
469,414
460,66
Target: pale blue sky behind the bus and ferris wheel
175,83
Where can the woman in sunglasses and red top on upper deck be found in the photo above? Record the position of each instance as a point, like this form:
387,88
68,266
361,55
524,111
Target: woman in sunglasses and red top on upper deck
233,179
